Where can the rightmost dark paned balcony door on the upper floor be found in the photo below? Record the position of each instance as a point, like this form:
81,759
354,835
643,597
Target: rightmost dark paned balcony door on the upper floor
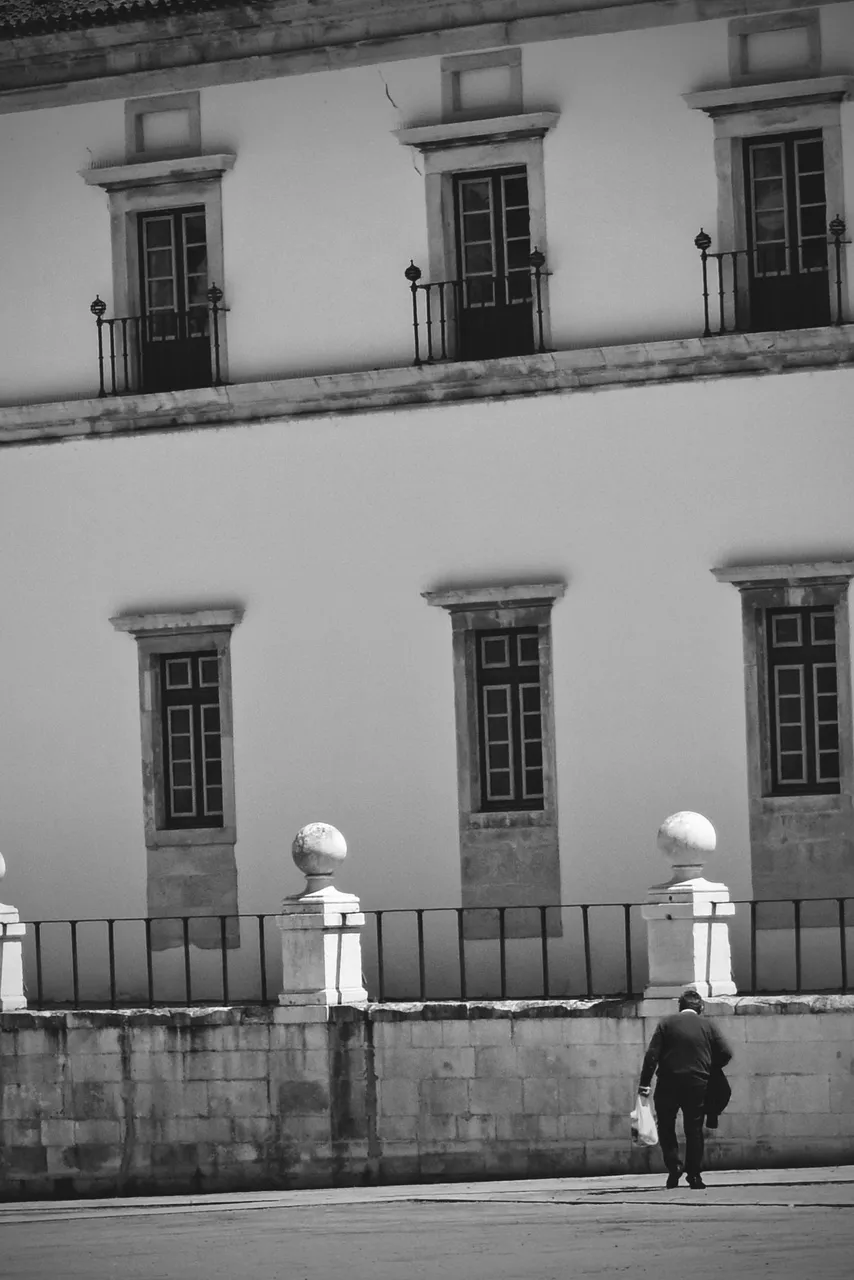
784,177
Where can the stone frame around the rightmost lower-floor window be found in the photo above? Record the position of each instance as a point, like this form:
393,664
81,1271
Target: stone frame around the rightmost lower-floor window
792,586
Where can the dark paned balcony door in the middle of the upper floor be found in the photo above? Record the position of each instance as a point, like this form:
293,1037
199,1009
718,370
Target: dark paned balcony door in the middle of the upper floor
494,253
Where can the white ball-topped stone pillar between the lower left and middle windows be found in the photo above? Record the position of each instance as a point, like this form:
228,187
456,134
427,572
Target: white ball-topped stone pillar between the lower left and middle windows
322,956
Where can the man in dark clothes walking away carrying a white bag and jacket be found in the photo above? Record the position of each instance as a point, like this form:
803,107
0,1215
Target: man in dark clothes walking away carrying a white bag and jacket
686,1046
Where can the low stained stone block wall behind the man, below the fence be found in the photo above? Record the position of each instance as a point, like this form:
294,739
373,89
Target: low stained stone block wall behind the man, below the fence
236,1099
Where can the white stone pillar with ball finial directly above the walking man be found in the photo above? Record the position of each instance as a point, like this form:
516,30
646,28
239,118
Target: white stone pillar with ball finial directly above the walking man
688,931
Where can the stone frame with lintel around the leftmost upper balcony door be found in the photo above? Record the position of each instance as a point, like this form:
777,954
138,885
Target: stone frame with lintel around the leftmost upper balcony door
150,186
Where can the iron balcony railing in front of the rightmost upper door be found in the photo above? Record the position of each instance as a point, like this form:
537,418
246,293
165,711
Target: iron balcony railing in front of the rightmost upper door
775,286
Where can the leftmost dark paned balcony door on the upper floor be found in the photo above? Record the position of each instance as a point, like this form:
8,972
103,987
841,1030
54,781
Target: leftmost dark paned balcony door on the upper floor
175,321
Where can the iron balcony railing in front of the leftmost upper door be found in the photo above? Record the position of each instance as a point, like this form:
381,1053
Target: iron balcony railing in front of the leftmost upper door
166,350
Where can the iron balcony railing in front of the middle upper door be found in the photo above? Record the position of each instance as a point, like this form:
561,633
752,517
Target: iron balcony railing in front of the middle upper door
481,317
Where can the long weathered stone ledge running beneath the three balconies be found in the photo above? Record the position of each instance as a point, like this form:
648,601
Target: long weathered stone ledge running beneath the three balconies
372,391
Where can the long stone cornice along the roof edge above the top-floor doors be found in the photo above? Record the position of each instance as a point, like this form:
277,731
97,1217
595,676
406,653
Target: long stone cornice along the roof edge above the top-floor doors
248,43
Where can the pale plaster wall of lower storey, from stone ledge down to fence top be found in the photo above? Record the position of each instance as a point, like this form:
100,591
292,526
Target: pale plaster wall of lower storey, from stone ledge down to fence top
327,532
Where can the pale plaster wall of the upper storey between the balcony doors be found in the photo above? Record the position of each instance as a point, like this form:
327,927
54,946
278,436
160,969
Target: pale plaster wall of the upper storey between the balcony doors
325,209
